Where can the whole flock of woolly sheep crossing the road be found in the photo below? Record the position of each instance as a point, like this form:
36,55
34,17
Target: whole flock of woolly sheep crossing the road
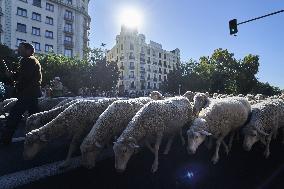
94,124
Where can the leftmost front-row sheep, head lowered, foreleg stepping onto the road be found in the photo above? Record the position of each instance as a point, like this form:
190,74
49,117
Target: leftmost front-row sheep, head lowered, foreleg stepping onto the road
75,122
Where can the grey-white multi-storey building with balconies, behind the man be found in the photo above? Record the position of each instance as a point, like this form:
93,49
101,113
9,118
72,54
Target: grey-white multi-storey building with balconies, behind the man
61,26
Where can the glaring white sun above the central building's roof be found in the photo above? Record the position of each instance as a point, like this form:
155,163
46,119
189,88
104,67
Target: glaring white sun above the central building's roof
130,17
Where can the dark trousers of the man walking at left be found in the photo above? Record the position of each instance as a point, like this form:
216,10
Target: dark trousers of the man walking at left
22,105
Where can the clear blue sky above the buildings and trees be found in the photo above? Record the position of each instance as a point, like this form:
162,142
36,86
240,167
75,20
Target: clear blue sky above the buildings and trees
198,27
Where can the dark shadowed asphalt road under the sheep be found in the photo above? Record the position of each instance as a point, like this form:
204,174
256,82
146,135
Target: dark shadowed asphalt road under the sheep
239,169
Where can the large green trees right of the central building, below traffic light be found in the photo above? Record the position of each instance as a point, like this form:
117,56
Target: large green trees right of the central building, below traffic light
220,73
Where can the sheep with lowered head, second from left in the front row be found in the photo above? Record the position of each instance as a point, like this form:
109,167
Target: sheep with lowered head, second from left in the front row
110,124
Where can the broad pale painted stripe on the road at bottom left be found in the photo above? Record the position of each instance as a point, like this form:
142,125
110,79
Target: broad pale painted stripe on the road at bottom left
20,178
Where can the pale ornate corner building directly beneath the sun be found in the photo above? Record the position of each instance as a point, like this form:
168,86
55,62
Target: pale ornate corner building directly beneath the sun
143,67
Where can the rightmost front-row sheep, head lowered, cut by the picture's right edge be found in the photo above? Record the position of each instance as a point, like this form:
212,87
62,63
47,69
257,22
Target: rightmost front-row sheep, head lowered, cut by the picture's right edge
266,118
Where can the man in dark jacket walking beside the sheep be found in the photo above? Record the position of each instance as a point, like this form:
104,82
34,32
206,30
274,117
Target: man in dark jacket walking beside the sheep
28,81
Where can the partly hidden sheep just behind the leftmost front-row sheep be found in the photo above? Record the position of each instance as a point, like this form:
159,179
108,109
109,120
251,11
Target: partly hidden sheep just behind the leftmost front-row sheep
39,119
